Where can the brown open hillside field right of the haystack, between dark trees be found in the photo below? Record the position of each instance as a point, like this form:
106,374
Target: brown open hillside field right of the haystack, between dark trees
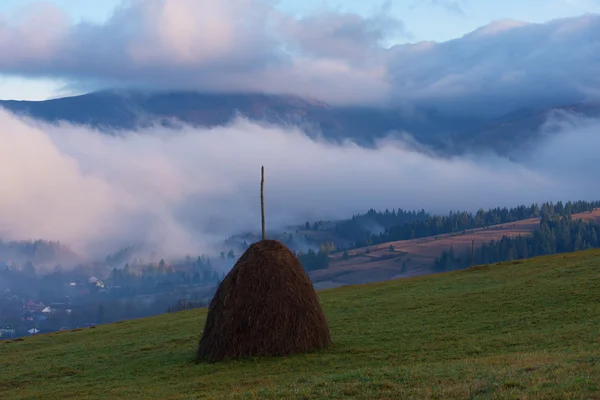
415,257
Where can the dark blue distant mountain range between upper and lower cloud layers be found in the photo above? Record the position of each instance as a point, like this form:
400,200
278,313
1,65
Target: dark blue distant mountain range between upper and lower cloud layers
114,110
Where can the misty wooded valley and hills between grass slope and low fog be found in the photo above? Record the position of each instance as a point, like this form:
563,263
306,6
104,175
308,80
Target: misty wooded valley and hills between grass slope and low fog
37,295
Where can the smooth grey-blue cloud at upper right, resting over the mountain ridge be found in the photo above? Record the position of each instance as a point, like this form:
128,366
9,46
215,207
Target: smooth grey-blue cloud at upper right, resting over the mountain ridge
502,67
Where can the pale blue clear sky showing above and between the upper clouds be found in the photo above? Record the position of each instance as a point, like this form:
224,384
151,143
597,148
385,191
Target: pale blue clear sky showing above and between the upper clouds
421,20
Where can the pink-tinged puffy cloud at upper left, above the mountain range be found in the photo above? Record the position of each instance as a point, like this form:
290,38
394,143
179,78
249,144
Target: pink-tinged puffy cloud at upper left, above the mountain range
215,45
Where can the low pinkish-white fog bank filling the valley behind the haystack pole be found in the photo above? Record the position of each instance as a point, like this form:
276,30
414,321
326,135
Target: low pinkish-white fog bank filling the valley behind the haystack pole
186,190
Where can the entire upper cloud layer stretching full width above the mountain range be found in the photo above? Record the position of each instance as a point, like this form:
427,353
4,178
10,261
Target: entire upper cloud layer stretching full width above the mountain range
249,45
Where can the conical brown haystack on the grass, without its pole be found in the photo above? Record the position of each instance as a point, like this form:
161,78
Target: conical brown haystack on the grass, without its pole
265,306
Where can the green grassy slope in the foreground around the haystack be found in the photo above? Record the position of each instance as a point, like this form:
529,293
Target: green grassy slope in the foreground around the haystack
514,330
